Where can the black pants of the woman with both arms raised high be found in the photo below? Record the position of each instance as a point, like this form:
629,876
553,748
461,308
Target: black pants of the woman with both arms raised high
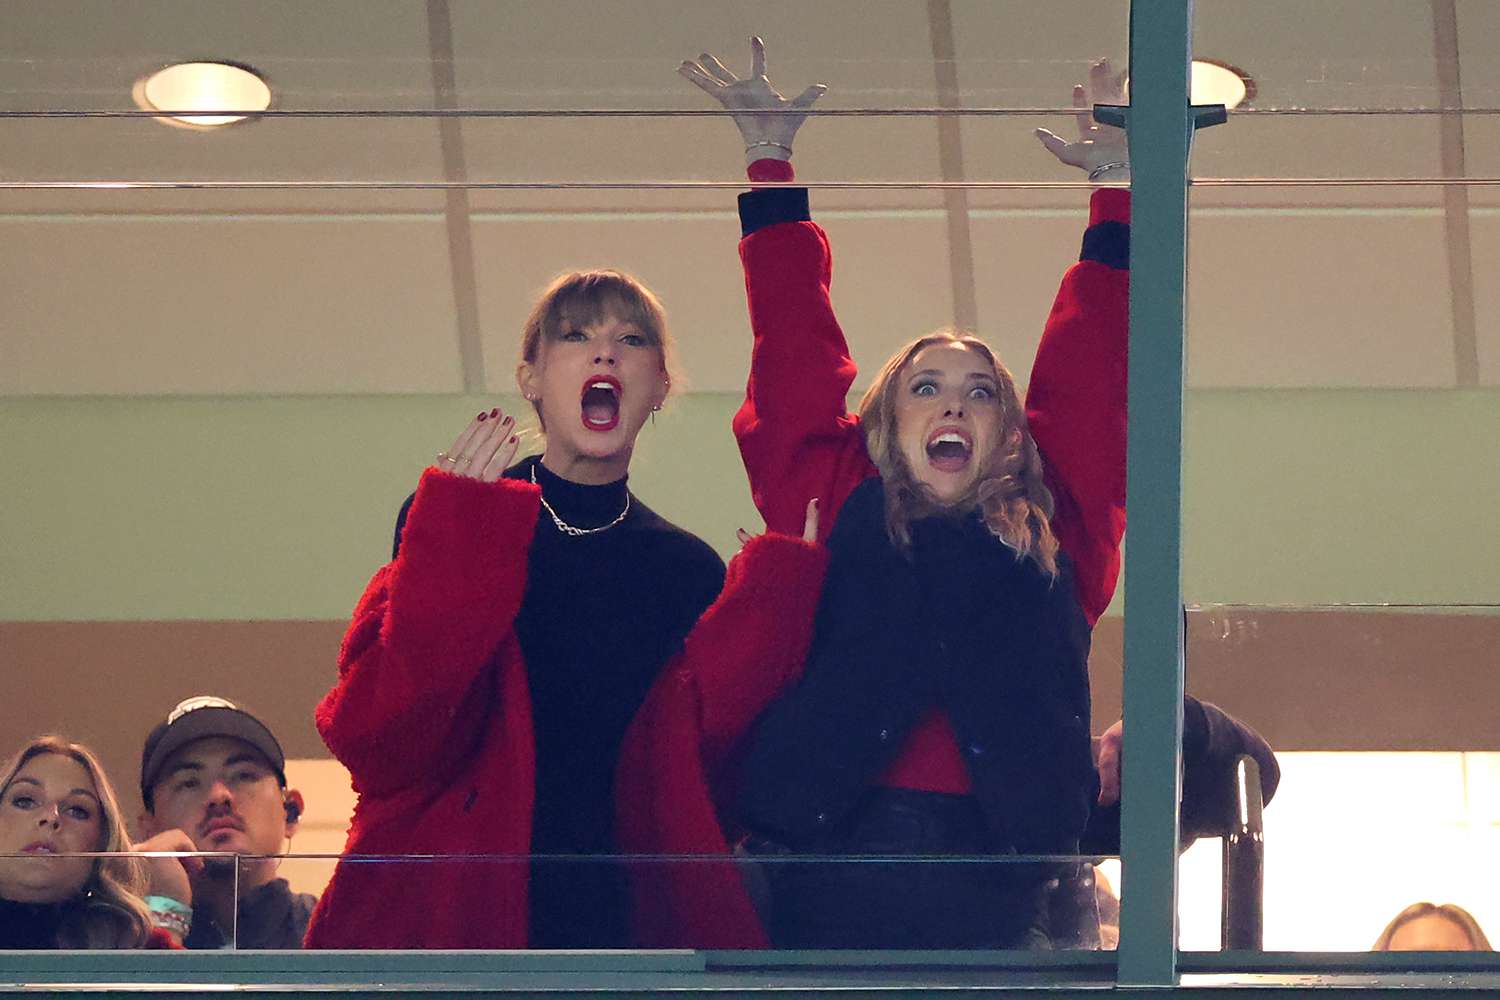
947,896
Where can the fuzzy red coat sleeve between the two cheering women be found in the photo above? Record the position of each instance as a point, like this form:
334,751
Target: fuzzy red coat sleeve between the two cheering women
754,641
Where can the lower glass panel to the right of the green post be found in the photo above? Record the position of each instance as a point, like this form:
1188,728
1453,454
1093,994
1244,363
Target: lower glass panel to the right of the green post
1387,758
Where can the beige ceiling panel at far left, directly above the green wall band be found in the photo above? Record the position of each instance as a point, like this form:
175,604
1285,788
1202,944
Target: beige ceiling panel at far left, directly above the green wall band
146,307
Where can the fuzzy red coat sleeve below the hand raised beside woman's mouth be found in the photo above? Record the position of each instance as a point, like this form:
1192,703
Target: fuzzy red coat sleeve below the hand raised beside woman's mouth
425,630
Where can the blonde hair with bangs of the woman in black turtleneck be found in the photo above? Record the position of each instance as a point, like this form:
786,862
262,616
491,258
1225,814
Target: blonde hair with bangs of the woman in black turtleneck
581,299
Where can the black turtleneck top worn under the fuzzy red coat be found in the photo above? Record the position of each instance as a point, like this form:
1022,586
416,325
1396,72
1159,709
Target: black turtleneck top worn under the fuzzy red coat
602,614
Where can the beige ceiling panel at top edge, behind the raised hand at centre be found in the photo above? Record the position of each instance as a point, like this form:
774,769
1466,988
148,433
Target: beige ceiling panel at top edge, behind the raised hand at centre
625,55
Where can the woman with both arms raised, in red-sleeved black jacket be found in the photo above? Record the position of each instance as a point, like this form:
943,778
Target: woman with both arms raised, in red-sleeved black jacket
944,707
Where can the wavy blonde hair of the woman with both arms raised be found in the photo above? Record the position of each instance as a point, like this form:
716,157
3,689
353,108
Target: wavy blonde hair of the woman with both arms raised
1010,491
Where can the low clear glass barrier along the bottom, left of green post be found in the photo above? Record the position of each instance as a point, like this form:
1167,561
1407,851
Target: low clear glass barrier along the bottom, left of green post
751,900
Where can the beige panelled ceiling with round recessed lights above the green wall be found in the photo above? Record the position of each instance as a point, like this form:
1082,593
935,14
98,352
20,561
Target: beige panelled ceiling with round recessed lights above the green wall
280,283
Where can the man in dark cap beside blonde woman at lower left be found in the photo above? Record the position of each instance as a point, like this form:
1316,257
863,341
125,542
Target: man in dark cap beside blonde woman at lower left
214,779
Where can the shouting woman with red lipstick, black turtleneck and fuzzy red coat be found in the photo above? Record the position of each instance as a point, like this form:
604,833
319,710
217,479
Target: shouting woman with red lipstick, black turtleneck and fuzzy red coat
494,665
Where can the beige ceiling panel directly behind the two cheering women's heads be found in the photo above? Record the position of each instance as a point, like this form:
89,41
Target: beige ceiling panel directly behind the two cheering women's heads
892,283
